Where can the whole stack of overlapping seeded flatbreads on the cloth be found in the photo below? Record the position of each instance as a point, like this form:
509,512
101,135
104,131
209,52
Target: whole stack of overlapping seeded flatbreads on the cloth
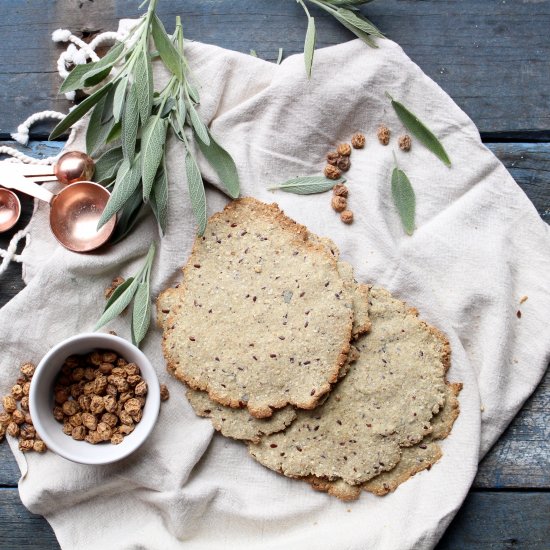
327,380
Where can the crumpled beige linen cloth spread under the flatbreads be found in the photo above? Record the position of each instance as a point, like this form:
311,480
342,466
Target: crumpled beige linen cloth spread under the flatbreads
479,246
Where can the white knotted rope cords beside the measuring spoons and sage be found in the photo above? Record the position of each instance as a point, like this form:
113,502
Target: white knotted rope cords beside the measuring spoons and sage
77,53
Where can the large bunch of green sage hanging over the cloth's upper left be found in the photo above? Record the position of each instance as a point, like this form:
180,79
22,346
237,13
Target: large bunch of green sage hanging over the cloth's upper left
127,108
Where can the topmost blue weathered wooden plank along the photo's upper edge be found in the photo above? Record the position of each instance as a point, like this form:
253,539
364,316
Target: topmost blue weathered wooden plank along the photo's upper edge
492,57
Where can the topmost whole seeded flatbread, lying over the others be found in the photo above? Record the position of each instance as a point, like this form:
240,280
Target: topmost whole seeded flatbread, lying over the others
264,318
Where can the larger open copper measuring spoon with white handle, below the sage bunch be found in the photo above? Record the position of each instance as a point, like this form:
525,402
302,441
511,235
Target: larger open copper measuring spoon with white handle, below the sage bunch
74,211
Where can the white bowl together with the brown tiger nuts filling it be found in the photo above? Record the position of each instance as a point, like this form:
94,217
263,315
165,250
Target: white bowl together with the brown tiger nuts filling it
94,398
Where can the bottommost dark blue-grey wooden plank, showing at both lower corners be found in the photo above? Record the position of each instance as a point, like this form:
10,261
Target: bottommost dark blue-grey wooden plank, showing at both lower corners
487,521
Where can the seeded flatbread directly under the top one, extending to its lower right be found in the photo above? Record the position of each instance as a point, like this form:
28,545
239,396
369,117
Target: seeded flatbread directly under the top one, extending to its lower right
384,403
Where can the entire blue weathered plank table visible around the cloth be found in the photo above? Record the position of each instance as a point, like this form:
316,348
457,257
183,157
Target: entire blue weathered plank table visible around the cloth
492,57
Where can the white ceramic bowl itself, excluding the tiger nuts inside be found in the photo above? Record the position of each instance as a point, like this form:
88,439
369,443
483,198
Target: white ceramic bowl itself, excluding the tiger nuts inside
41,401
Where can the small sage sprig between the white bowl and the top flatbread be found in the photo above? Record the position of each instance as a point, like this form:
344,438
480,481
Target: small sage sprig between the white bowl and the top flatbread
138,290
